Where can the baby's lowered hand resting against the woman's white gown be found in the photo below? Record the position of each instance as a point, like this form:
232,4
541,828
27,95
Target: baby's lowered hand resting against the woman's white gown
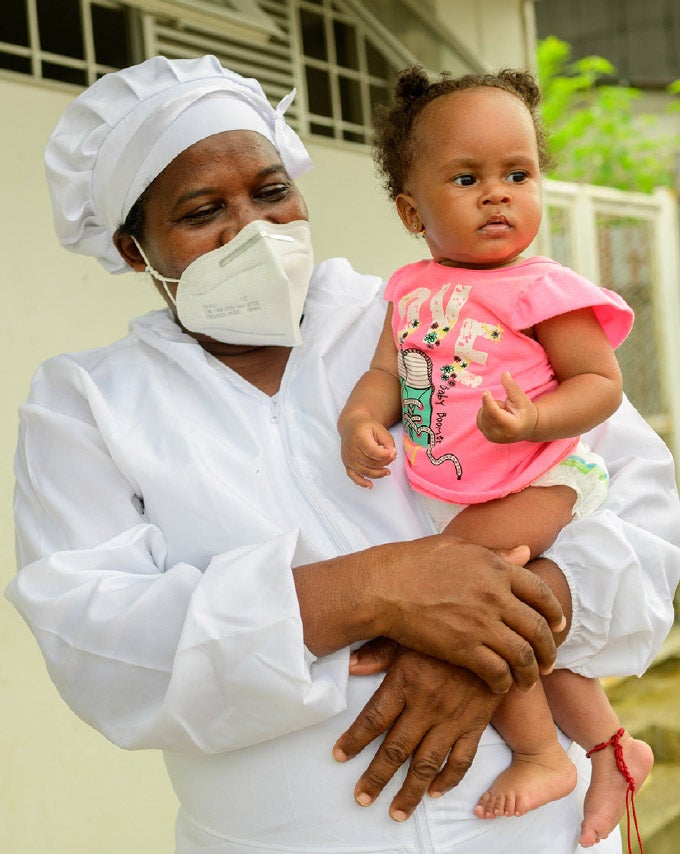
367,449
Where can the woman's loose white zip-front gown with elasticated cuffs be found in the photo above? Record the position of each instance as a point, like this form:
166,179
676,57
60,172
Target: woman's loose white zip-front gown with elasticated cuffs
160,503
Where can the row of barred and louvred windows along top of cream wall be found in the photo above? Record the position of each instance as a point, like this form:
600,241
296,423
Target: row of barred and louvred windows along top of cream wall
341,57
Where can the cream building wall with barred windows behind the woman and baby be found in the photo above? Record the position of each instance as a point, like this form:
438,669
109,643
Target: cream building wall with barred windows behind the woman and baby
63,788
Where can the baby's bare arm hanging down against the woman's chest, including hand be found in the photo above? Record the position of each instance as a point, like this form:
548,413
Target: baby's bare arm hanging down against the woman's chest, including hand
367,447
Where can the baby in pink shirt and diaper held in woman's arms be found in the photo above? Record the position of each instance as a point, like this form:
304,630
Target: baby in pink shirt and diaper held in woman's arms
496,364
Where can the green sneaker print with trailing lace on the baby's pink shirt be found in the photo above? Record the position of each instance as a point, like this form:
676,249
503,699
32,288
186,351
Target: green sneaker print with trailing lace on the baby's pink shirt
415,375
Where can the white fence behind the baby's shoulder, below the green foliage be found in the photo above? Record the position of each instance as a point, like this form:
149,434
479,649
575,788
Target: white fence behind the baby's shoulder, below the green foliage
629,242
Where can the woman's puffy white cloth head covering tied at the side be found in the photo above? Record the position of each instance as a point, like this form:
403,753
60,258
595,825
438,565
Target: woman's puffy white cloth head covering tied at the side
121,132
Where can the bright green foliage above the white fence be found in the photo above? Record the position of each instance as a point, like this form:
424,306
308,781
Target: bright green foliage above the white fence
595,135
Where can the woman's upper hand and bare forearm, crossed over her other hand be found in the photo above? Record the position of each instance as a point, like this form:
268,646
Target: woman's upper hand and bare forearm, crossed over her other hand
457,602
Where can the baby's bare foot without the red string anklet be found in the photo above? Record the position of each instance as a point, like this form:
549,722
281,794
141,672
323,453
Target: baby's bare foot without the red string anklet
531,780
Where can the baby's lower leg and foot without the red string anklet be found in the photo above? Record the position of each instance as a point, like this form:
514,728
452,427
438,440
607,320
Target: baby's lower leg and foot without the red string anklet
540,770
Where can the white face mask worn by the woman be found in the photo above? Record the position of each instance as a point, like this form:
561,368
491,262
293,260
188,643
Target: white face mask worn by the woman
250,291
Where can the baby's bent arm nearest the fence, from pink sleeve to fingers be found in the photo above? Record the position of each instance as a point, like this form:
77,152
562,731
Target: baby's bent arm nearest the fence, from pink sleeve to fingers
589,392
